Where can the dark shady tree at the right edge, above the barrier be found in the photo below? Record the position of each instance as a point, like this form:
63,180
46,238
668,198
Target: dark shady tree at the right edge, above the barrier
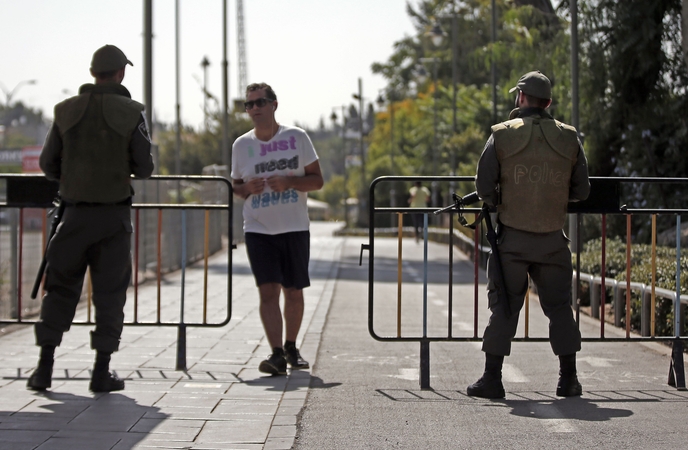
634,83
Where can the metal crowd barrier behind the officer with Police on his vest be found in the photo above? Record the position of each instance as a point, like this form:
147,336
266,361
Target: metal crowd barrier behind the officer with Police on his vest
604,200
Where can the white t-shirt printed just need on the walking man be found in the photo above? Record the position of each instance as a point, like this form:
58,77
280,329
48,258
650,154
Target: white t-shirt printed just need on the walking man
287,154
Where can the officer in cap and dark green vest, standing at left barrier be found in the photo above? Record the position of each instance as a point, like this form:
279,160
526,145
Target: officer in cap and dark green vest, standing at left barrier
98,140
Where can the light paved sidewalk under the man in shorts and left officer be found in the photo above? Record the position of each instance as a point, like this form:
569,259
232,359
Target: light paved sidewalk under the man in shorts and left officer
220,402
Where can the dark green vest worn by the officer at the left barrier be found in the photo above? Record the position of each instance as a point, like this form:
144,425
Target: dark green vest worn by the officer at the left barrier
96,130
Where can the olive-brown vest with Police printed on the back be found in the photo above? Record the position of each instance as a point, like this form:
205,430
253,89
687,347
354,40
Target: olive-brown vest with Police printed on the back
536,157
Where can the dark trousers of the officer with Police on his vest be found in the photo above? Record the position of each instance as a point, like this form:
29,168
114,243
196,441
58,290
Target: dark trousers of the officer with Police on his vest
546,258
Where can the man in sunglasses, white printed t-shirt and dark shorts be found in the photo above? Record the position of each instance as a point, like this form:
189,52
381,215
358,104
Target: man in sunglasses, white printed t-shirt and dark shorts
273,168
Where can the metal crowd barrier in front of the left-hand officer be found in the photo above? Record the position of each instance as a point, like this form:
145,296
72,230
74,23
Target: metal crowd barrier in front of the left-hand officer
177,221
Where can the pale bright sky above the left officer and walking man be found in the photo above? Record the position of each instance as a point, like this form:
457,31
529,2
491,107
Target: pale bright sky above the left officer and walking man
312,52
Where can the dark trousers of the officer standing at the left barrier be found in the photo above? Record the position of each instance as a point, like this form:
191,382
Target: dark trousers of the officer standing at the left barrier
97,237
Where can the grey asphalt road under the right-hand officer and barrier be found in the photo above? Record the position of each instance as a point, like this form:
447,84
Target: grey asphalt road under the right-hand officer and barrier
365,393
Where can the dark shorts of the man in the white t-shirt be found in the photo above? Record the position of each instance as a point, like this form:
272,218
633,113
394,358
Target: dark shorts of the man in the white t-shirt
280,258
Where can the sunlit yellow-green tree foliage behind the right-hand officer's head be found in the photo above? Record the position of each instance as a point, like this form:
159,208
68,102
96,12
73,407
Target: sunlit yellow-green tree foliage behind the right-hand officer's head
528,38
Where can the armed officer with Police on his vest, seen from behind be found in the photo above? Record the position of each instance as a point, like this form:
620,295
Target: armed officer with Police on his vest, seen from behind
531,168
